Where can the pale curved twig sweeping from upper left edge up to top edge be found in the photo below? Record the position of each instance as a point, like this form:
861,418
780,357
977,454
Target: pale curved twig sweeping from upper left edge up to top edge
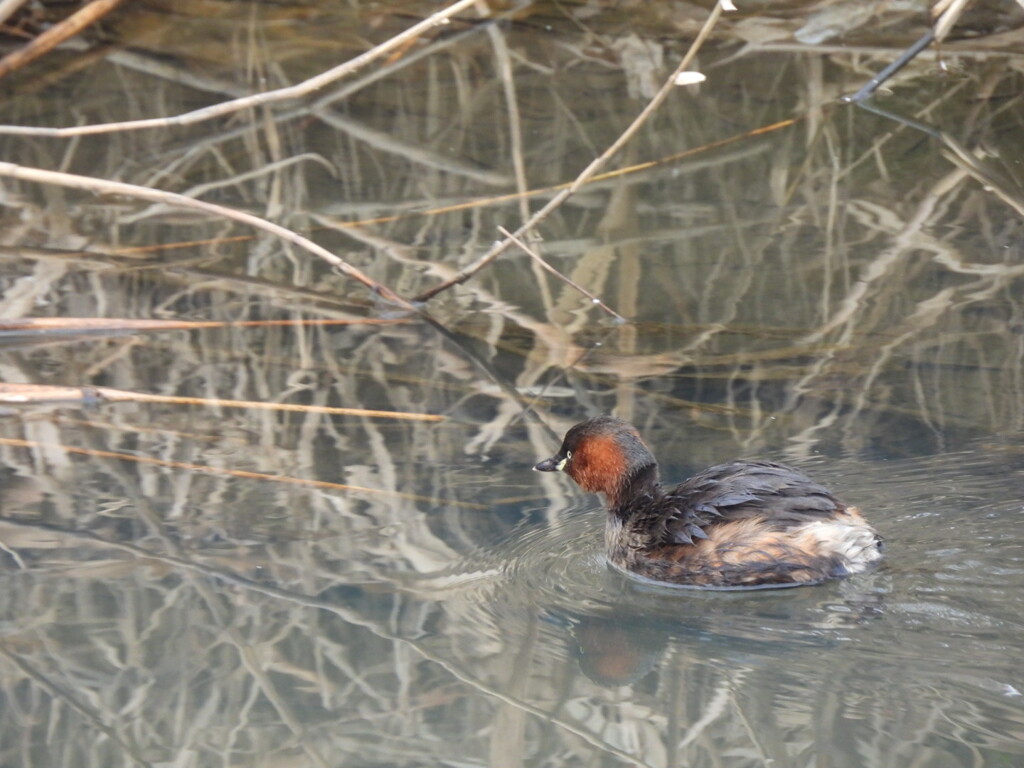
257,100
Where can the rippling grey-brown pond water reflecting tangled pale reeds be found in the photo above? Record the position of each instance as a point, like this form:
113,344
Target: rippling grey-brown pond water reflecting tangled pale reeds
208,585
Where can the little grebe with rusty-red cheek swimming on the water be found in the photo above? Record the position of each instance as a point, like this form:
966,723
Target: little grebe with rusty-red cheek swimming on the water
739,525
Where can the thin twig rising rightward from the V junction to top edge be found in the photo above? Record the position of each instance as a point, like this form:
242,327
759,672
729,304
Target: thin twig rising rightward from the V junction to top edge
670,86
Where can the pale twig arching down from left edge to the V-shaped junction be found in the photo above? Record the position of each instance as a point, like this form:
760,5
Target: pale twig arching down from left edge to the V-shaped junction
106,187
